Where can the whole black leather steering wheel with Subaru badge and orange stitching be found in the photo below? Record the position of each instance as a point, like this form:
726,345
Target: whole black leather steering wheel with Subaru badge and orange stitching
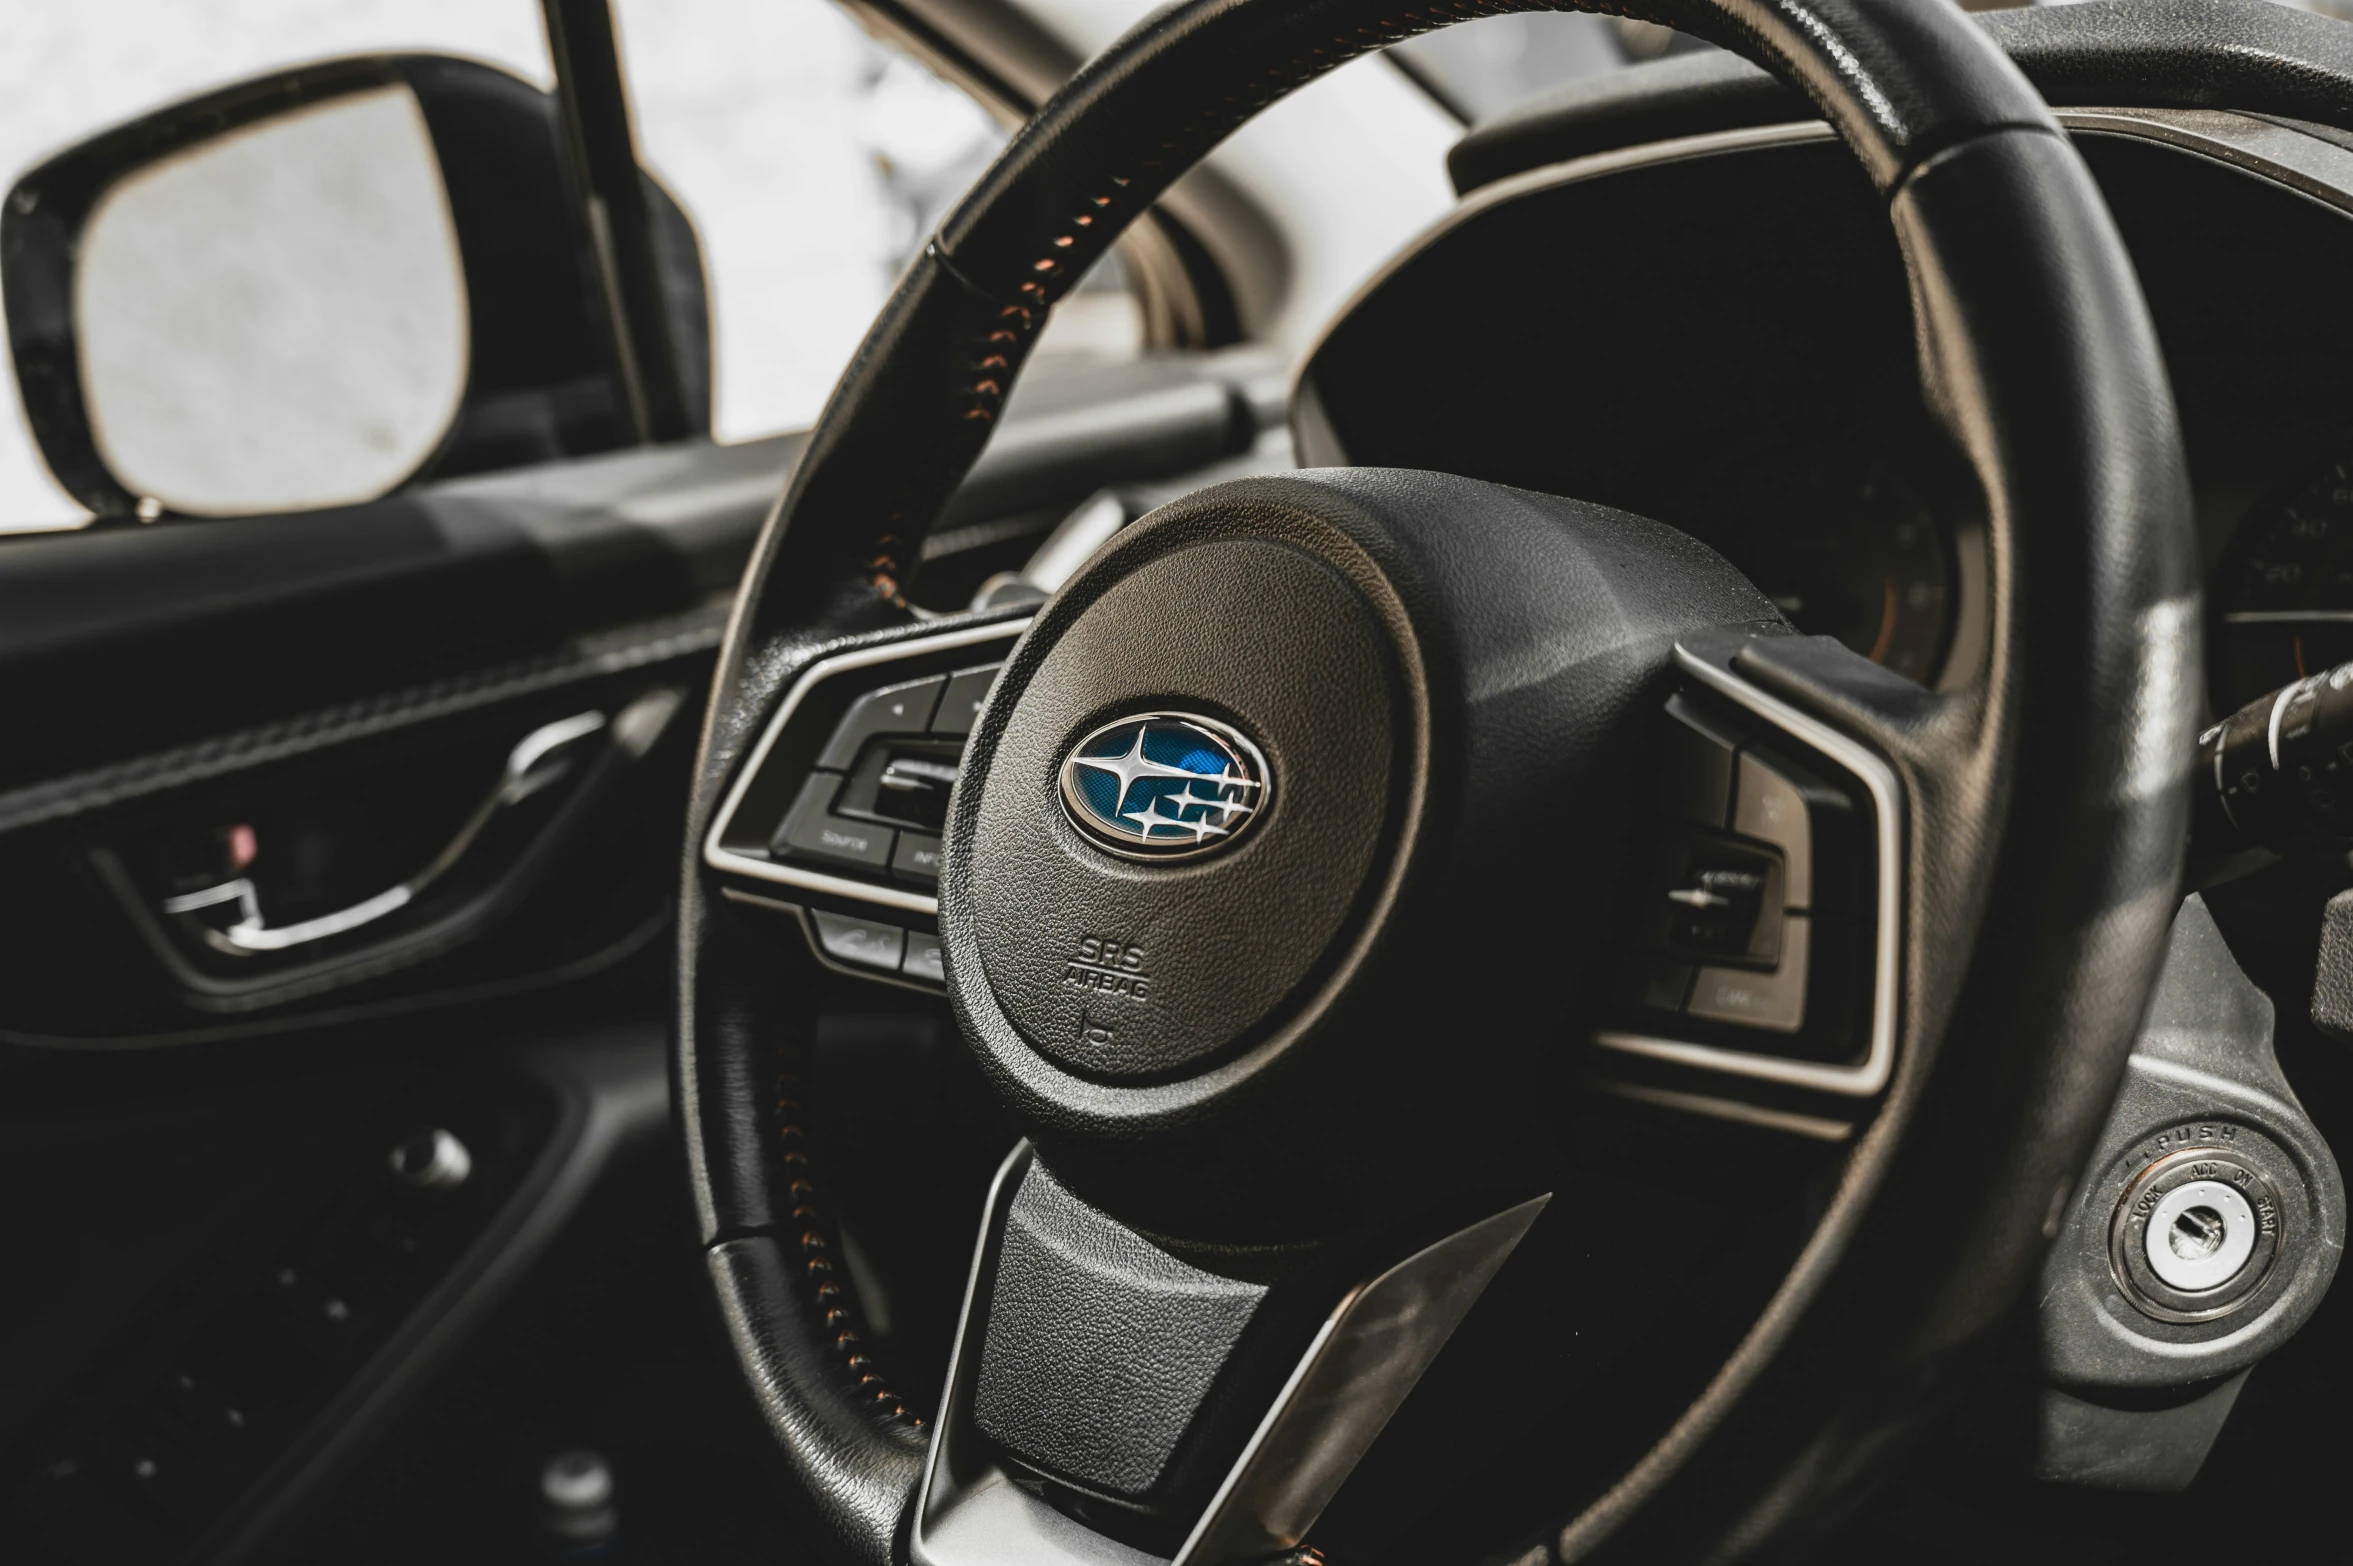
1295,1036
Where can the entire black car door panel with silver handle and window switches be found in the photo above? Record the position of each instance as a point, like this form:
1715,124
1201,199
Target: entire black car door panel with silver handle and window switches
199,1118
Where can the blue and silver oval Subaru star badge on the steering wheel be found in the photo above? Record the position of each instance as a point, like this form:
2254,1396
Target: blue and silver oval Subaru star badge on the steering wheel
1164,787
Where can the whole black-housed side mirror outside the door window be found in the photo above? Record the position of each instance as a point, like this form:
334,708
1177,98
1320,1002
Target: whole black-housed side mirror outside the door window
321,286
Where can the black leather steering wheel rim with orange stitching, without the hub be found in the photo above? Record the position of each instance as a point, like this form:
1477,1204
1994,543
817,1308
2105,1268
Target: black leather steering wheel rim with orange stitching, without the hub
2039,356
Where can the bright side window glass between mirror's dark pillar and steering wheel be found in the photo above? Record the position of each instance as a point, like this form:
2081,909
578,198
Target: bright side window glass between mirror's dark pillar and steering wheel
815,161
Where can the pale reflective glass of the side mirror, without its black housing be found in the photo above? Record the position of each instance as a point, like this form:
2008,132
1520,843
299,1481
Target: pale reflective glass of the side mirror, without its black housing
276,319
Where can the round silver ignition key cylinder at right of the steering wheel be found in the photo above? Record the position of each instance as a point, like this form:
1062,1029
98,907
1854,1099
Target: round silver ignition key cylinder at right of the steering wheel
2194,1236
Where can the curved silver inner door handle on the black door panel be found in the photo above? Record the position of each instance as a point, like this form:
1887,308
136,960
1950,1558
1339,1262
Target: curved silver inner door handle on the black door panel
540,758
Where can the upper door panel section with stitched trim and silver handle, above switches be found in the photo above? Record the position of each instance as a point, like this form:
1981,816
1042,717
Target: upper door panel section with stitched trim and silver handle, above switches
342,690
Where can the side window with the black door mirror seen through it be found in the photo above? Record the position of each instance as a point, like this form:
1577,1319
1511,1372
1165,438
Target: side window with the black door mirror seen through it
227,295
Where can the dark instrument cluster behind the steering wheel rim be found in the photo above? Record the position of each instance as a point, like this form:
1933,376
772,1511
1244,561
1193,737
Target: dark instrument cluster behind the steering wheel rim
1717,333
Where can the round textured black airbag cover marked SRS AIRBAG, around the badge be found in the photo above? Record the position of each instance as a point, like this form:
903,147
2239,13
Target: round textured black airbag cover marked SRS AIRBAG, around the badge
1126,970
